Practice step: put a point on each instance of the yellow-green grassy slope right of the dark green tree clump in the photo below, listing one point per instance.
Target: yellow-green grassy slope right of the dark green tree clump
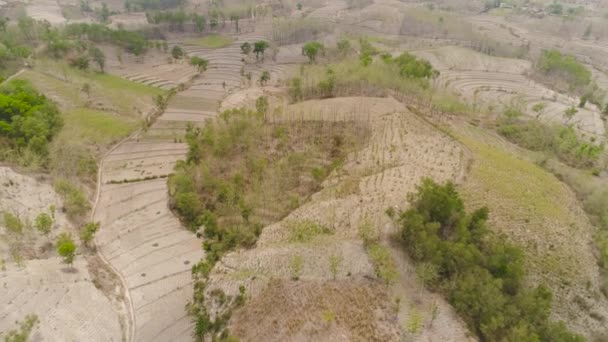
(527, 203)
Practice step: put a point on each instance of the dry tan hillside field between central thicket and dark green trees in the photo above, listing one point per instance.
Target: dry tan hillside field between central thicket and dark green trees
(402, 150)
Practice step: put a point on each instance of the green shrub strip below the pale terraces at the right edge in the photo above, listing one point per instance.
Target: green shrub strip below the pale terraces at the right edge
(559, 140)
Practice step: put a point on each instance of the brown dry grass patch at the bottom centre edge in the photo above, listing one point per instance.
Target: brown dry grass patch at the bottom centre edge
(355, 310)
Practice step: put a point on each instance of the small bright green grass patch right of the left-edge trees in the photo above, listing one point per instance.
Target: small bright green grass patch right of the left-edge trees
(96, 126)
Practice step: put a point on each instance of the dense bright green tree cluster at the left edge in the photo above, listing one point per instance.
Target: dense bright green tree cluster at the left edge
(28, 122)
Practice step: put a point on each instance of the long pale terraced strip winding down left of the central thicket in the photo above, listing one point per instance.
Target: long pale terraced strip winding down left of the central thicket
(140, 238)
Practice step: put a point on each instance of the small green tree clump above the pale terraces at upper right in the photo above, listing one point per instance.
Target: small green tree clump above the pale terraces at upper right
(566, 68)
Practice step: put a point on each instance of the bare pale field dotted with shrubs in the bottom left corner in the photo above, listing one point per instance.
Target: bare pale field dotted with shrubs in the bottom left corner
(33, 279)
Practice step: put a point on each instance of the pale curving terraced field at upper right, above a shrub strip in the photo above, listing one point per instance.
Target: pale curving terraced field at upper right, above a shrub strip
(494, 83)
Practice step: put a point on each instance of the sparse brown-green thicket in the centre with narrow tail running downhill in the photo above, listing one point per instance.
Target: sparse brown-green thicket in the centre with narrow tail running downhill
(244, 172)
